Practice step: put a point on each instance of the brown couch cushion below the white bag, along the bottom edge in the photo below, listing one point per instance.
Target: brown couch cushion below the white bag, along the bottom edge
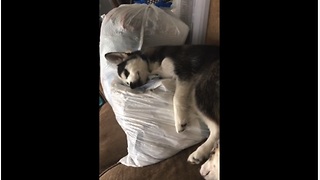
(173, 168)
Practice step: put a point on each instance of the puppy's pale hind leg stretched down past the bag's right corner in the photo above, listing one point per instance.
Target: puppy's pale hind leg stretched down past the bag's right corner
(203, 151)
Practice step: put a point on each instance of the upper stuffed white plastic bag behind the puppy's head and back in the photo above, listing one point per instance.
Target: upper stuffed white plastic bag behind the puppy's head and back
(131, 27)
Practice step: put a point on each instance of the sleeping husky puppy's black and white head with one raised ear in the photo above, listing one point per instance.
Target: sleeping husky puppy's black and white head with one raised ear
(132, 67)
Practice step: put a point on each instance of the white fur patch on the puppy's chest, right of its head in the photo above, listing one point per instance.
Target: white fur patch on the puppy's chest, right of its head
(165, 70)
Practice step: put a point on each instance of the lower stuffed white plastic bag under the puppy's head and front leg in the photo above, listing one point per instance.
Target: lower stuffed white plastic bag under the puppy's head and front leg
(146, 116)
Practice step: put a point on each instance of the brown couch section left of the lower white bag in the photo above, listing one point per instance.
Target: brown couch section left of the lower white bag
(113, 144)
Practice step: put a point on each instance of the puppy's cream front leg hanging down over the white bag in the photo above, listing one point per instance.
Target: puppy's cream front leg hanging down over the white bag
(181, 101)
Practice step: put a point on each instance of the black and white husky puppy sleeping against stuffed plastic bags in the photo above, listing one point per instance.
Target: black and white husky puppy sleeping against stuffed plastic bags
(196, 70)
